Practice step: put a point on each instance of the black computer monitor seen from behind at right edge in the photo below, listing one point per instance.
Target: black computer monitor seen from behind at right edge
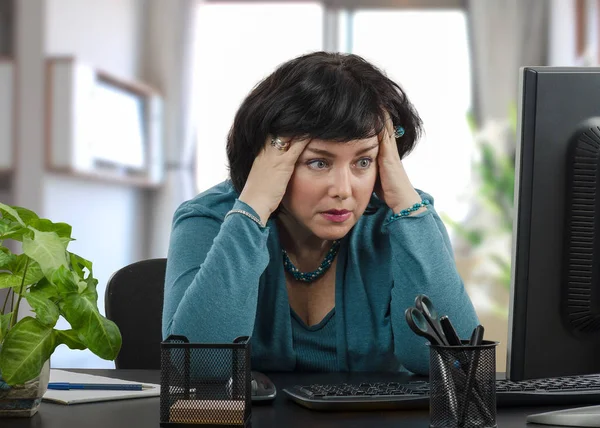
(554, 314)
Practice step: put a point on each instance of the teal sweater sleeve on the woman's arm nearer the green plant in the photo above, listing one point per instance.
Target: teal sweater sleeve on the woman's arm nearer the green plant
(213, 272)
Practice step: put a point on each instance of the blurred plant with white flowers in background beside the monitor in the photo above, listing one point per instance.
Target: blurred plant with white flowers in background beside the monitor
(485, 234)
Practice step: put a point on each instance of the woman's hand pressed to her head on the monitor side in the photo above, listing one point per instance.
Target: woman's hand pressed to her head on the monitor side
(393, 187)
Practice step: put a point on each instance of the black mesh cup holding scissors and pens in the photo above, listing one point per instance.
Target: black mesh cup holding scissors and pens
(462, 381)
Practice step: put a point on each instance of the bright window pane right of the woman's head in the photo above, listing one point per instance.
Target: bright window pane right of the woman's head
(433, 67)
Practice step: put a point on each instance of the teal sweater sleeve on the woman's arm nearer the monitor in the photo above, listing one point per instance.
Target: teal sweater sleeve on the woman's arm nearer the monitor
(423, 263)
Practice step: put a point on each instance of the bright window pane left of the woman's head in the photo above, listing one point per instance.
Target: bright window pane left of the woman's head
(237, 46)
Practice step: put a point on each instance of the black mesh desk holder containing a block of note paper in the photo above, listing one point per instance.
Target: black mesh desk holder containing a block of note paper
(205, 384)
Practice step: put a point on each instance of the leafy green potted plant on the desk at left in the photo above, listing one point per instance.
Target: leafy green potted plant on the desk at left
(54, 282)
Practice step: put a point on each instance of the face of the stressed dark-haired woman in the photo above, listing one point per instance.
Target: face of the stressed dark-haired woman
(331, 186)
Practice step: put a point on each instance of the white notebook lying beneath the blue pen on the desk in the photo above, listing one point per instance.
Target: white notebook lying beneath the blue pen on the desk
(75, 396)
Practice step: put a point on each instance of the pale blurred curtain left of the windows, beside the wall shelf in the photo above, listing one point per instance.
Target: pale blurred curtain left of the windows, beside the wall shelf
(169, 66)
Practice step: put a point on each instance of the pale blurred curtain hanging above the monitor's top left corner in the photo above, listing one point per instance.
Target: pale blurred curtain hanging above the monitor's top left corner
(504, 35)
